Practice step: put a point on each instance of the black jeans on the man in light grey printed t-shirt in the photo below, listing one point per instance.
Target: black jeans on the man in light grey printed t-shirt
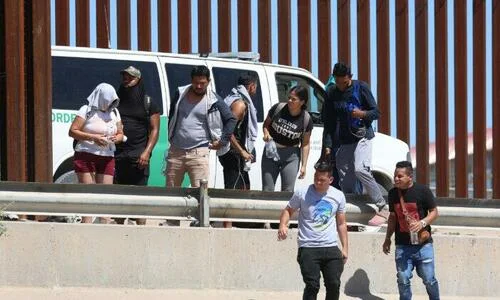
(326, 260)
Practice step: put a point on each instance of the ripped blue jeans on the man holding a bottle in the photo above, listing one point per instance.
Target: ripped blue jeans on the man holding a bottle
(420, 257)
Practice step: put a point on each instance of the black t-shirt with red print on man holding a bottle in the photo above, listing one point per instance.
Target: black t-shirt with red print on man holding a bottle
(418, 200)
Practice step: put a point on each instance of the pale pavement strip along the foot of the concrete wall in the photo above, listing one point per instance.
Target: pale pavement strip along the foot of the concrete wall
(21, 293)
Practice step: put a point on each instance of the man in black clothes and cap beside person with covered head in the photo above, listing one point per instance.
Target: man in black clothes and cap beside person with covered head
(141, 122)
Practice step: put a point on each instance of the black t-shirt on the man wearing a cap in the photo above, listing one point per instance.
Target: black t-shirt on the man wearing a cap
(135, 120)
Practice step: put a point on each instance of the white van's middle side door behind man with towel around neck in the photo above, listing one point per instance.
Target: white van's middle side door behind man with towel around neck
(225, 77)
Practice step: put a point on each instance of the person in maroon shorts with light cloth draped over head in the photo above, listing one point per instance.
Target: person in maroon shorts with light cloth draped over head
(96, 128)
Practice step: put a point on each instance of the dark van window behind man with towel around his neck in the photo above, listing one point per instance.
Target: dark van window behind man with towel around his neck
(226, 79)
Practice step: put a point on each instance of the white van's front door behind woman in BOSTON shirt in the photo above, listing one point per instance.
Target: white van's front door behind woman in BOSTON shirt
(281, 80)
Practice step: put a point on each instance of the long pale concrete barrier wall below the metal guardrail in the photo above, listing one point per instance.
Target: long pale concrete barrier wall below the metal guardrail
(72, 255)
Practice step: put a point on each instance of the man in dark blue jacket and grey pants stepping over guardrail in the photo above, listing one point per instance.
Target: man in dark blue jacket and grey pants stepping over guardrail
(352, 103)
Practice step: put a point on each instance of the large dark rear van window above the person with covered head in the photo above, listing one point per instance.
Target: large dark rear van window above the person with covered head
(74, 78)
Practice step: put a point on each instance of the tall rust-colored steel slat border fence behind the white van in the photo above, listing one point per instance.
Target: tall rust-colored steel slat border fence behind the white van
(274, 30)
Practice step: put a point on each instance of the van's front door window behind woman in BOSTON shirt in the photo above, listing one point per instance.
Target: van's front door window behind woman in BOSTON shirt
(317, 95)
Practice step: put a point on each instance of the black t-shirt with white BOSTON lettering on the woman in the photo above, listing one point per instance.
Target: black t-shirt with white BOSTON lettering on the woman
(285, 129)
